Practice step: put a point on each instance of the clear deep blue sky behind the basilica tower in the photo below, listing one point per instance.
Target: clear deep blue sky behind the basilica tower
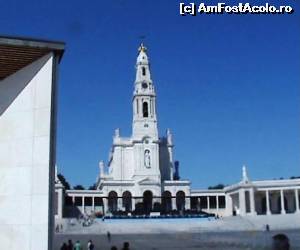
(227, 85)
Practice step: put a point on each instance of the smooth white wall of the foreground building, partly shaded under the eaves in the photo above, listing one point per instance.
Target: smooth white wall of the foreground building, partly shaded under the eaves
(25, 111)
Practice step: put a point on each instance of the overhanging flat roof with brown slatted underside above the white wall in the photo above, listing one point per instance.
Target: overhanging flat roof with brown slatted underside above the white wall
(17, 52)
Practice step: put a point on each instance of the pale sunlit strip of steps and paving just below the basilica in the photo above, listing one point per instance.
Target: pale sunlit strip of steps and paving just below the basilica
(183, 225)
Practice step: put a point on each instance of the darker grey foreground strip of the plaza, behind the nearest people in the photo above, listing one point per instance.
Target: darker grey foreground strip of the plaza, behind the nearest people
(206, 240)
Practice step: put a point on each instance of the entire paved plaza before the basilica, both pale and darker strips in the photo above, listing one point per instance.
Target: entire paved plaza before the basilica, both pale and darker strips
(227, 233)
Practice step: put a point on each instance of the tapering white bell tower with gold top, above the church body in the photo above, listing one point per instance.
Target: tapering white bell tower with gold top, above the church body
(144, 103)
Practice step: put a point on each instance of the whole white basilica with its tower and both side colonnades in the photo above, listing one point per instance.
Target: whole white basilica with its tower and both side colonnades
(140, 177)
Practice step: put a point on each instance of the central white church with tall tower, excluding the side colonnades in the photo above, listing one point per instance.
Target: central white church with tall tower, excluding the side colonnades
(142, 165)
